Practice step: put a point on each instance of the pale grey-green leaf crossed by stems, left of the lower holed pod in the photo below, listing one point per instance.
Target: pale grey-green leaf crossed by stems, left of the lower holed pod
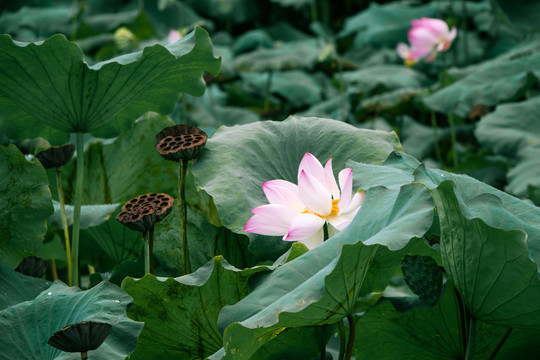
(91, 215)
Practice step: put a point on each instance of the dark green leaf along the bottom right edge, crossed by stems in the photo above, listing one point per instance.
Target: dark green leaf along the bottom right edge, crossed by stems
(433, 333)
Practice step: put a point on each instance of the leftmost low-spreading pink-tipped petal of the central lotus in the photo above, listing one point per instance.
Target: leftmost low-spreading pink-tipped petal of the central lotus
(270, 219)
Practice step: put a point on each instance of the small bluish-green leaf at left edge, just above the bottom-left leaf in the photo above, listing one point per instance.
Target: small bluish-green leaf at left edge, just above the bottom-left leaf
(16, 287)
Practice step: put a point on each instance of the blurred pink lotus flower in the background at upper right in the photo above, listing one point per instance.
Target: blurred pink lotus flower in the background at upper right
(427, 37)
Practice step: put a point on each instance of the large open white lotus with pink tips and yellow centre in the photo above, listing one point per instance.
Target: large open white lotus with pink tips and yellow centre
(299, 212)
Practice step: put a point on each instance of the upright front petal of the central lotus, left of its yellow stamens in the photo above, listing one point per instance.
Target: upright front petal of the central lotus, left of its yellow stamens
(313, 194)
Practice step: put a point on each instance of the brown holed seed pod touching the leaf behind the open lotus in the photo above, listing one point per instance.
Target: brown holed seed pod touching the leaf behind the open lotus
(180, 142)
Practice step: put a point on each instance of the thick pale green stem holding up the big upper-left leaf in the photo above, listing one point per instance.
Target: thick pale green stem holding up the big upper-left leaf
(77, 208)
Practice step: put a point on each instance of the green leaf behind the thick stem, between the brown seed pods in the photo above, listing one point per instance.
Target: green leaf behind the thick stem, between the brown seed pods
(111, 168)
